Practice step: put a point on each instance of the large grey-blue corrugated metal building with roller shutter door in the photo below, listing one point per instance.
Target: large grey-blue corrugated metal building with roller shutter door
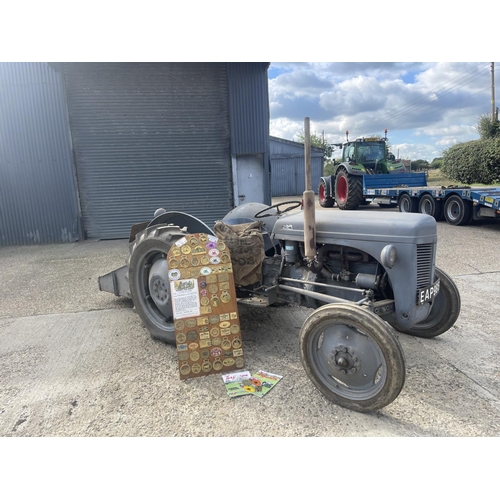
(192, 137)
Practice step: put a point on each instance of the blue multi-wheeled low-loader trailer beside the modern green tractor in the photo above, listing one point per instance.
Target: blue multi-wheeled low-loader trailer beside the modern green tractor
(458, 205)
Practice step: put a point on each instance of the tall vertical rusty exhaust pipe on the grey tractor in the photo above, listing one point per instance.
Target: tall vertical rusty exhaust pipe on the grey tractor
(309, 200)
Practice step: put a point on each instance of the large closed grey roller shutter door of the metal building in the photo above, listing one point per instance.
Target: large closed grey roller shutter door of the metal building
(149, 135)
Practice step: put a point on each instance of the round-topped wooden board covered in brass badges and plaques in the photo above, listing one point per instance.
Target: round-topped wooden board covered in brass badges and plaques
(206, 320)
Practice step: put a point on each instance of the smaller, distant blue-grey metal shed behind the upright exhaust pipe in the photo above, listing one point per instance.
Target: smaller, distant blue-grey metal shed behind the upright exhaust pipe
(288, 167)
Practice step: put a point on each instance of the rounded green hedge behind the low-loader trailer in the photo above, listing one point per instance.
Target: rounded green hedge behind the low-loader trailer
(474, 162)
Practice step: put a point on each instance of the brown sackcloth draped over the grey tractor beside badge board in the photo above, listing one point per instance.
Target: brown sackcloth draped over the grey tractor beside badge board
(246, 245)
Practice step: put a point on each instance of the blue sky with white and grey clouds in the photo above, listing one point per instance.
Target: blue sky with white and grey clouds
(426, 107)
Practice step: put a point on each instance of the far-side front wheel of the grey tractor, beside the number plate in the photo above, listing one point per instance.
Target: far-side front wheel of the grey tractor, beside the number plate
(444, 312)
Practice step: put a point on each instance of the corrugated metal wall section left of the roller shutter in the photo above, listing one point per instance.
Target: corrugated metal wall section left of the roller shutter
(38, 201)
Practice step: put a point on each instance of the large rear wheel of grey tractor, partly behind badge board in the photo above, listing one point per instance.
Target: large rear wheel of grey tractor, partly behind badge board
(148, 279)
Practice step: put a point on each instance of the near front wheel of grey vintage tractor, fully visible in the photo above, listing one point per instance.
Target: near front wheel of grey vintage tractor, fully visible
(352, 357)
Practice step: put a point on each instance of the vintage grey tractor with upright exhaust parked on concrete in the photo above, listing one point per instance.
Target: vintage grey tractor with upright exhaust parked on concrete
(363, 276)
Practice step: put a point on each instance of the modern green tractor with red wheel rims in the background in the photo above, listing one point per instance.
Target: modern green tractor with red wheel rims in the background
(364, 156)
